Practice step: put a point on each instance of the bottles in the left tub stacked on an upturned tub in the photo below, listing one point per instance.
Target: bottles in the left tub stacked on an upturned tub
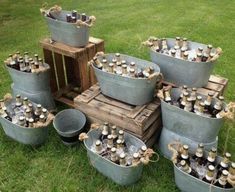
(25, 63)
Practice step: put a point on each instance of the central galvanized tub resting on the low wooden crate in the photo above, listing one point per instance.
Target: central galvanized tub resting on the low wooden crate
(134, 91)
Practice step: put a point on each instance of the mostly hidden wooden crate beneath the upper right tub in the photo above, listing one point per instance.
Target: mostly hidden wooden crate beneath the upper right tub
(216, 85)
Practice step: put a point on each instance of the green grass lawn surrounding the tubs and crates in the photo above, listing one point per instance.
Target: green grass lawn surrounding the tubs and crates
(124, 25)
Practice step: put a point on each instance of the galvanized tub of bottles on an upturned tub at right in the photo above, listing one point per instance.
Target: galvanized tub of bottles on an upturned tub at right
(198, 128)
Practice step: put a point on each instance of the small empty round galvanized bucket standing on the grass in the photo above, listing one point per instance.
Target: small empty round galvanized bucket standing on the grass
(69, 124)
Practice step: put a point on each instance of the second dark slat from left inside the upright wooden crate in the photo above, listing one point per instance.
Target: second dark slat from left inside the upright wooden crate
(60, 69)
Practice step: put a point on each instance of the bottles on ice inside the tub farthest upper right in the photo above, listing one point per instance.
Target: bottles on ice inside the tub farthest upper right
(181, 50)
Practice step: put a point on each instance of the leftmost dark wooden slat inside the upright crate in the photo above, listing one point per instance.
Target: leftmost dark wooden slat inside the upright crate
(48, 58)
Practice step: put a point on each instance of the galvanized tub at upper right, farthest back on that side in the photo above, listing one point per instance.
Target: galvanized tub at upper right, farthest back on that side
(182, 72)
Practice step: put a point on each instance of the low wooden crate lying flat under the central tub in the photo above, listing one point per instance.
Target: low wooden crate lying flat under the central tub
(142, 121)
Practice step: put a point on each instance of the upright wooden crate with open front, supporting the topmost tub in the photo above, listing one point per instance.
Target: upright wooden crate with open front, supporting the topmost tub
(69, 65)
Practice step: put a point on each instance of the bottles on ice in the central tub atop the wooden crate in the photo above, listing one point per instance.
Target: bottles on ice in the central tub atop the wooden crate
(121, 67)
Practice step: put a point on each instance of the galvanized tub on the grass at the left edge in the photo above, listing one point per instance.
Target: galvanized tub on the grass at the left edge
(25, 135)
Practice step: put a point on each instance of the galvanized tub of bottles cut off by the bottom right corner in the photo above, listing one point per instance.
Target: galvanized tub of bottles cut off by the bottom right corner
(188, 183)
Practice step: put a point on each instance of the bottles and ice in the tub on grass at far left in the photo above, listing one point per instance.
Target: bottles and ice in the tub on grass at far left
(22, 112)
